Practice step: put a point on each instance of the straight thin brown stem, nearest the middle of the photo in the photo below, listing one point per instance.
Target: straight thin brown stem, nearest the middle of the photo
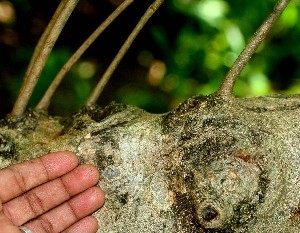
(108, 73)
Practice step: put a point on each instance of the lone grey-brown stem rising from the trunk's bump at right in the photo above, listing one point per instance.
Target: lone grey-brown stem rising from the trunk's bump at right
(226, 88)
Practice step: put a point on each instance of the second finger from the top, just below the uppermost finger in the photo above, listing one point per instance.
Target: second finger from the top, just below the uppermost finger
(49, 195)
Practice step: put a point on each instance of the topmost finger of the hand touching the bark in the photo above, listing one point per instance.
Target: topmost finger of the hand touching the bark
(19, 178)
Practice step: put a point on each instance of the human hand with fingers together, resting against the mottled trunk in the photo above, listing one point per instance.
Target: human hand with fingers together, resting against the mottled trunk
(49, 194)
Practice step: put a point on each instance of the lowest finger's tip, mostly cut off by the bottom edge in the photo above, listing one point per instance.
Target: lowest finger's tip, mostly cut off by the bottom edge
(88, 224)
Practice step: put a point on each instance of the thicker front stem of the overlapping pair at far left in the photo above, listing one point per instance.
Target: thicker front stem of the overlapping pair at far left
(39, 60)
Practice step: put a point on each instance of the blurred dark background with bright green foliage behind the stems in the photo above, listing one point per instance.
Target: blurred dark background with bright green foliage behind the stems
(186, 49)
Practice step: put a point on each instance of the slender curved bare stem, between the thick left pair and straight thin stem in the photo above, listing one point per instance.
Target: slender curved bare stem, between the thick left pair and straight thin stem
(45, 101)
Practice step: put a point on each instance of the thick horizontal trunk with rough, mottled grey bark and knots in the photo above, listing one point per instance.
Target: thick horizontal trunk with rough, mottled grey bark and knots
(211, 165)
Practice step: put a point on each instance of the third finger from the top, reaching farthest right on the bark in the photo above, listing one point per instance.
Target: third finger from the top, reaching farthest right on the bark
(68, 213)
